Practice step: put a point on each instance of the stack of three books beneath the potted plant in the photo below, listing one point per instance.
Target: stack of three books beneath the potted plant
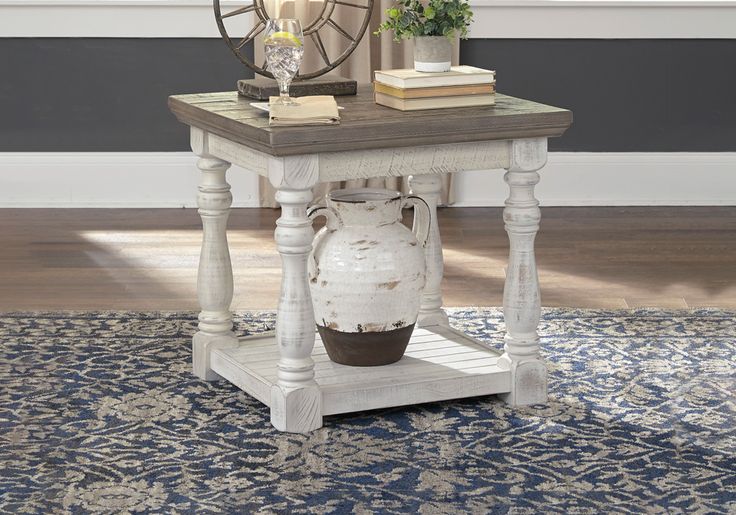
(409, 90)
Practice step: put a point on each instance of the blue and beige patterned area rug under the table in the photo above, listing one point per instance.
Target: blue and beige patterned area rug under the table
(99, 413)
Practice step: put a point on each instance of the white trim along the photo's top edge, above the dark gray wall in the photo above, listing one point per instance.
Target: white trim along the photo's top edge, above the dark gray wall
(566, 19)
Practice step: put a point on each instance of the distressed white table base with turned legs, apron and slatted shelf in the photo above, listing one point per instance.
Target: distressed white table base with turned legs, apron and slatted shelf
(281, 370)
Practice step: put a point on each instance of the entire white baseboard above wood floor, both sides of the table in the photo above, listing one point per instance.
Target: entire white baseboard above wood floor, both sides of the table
(169, 179)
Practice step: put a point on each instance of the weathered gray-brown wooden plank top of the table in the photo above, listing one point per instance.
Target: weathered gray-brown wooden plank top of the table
(366, 125)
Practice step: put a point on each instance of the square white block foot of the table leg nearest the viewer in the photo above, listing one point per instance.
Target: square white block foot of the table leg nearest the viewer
(296, 410)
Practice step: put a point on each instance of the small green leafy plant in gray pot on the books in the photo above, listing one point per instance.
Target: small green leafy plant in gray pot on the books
(433, 24)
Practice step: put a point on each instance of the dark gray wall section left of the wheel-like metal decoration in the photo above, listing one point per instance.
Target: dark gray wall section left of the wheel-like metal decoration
(105, 94)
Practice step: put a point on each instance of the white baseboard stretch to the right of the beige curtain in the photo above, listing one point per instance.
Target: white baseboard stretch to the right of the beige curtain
(617, 179)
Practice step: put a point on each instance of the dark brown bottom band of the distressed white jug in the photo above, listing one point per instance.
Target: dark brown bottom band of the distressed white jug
(366, 349)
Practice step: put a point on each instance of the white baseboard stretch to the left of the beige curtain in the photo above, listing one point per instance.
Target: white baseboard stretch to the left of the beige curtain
(110, 179)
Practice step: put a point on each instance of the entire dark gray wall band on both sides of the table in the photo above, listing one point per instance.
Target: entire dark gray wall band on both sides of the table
(627, 95)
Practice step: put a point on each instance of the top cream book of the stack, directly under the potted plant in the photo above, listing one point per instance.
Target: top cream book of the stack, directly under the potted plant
(457, 76)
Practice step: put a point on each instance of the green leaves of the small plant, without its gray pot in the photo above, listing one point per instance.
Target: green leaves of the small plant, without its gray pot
(413, 18)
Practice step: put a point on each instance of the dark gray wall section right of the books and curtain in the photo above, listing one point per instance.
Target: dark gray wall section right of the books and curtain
(626, 95)
